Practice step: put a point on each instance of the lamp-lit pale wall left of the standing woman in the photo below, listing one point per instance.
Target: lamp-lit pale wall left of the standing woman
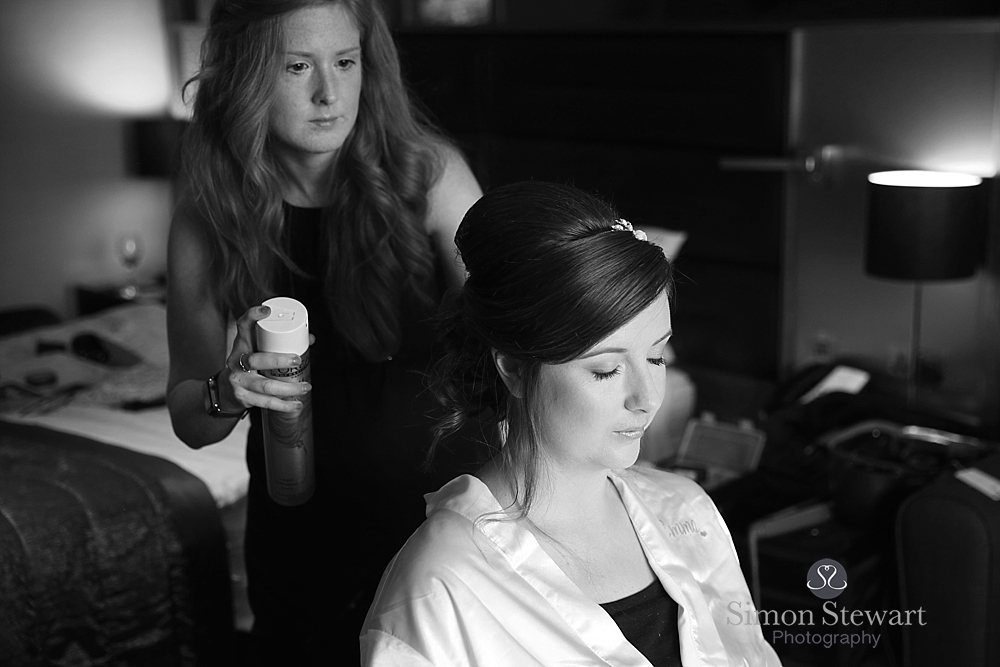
(72, 74)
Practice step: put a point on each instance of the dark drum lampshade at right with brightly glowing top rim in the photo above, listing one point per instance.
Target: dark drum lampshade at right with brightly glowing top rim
(924, 230)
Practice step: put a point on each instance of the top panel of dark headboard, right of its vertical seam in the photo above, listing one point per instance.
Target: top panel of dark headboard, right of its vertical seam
(684, 90)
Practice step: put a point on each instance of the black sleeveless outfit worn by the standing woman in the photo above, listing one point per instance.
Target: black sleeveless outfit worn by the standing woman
(313, 568)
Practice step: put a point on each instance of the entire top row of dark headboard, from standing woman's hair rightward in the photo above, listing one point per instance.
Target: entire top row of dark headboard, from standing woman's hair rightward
(679, 89)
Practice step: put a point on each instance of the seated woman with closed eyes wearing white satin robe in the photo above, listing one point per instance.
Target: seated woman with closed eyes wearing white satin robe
(560, 551)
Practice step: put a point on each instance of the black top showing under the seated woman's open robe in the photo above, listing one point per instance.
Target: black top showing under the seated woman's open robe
(648, 619)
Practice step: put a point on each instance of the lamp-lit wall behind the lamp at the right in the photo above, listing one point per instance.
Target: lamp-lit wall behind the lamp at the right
(906, 96)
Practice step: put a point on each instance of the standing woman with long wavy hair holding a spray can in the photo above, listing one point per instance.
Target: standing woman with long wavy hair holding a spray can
(308, 173)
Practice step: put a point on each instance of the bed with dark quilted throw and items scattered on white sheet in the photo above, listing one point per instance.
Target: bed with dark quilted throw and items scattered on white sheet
(118, 544)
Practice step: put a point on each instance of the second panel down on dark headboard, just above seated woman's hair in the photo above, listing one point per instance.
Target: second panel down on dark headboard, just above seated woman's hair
(729, 217)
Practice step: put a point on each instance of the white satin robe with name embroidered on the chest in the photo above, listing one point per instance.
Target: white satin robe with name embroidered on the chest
(473, 592)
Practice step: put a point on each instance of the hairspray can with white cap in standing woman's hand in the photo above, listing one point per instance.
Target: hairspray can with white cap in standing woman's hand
(288, 437)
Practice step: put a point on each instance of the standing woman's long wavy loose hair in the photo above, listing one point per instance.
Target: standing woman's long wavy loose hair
(379, 255)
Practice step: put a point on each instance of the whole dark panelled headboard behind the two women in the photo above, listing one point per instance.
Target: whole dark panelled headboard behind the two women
(642, 120)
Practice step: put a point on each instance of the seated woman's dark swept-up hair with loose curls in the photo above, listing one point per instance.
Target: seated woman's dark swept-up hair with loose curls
(549, 277)
